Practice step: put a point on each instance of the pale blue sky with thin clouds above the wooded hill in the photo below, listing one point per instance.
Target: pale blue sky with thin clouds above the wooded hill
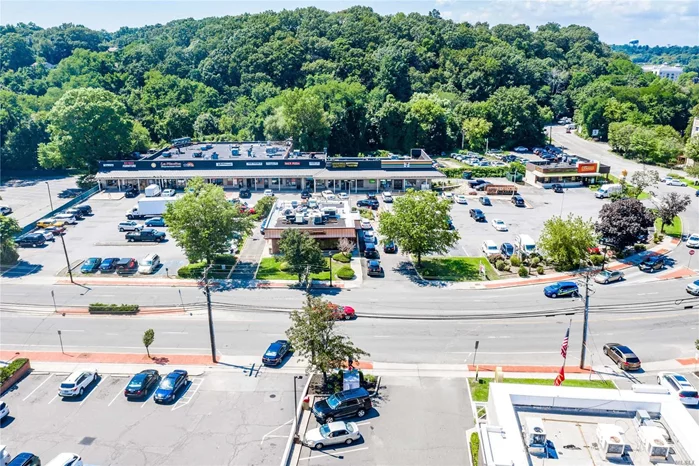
(652, 22)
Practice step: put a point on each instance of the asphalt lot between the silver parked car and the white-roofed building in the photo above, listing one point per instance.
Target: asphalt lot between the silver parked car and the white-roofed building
(415, 421)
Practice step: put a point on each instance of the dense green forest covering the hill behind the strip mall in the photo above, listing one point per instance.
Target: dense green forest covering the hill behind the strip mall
(352, 82)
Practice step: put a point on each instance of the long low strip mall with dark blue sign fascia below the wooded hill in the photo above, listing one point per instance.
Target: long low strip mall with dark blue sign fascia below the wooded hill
(261, 165)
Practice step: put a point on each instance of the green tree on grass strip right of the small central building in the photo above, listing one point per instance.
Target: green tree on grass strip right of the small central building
(419, 224)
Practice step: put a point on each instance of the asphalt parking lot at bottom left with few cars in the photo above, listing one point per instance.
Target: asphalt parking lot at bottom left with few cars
(220, 418)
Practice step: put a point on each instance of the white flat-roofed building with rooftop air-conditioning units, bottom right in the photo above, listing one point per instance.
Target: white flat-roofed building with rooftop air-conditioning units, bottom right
(538, 425)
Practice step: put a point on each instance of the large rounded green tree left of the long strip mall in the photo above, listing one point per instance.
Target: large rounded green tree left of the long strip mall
(89, 125)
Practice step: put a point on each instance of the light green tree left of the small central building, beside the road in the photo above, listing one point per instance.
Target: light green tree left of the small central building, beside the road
(203, 222)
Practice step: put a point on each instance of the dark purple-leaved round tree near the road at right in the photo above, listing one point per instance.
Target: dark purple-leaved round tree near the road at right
(622, 222)
